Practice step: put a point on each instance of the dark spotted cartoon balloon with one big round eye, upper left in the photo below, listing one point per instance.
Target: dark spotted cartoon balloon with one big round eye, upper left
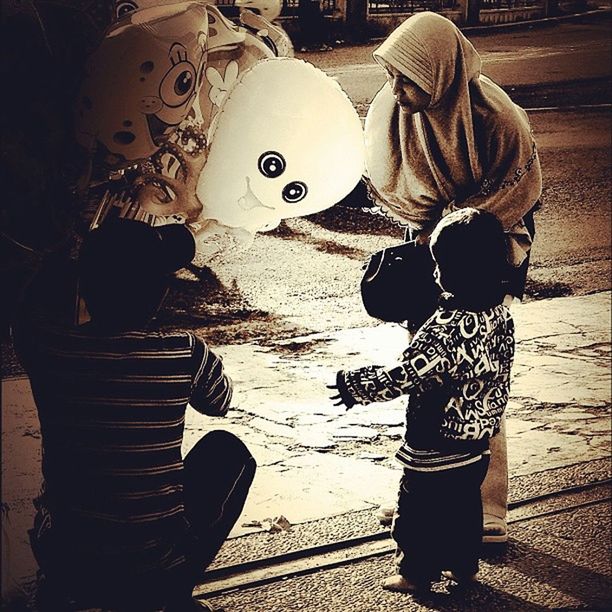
(142, 81)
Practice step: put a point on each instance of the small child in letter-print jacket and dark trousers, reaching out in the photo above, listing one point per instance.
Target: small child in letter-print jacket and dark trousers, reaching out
(464, 353)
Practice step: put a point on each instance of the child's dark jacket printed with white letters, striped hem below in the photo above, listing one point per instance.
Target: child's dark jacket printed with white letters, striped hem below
(459, 363)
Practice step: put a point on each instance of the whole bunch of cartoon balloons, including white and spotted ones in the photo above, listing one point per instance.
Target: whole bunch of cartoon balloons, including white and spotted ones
(246, 147)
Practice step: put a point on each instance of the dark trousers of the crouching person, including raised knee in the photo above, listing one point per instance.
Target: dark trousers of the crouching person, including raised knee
(218, 472)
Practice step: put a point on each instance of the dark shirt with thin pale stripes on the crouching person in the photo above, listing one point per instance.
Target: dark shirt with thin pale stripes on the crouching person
(112, 414)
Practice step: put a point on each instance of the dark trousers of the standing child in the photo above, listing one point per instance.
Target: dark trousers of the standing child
(438, 522)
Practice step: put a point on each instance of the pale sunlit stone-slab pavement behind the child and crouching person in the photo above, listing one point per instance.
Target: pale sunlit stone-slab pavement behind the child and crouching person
(317, 461)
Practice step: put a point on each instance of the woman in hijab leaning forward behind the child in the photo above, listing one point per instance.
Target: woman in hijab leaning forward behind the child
(441, 136)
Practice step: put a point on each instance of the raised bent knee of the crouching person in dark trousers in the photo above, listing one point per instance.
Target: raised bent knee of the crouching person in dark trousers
(218, 472)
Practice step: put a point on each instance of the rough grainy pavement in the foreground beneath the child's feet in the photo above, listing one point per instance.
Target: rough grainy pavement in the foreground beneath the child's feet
(555, 562)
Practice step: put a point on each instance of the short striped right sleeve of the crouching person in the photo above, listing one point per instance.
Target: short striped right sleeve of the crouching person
(211, 389)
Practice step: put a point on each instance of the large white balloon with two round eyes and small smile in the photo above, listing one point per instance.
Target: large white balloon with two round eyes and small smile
(287, 142)
